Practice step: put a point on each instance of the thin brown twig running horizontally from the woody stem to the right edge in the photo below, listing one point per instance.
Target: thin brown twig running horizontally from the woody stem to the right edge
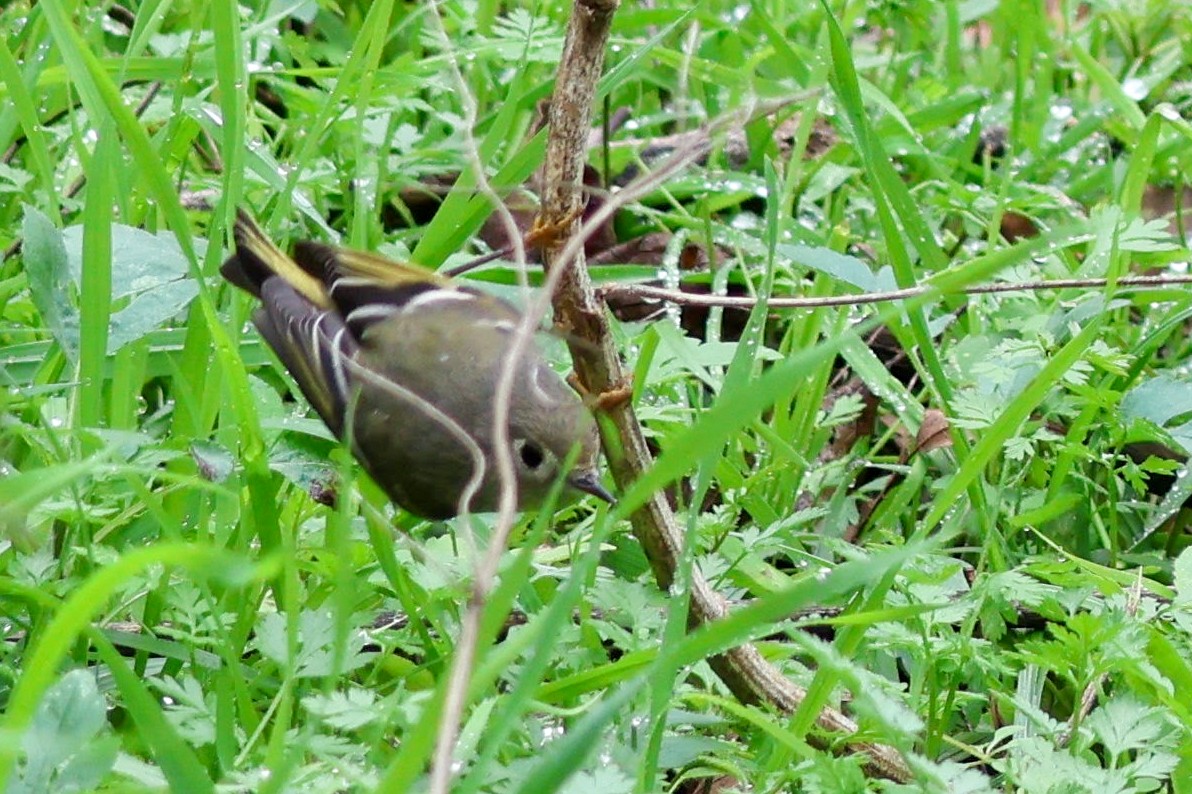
(744, 302)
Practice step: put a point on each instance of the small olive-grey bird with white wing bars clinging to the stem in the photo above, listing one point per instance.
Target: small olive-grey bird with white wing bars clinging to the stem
(403, 365)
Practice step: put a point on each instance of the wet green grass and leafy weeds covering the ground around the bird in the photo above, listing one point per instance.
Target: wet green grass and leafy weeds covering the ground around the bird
(1003, 599)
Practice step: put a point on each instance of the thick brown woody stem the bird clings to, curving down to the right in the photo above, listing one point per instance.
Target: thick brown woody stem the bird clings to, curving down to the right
(582, 320)
